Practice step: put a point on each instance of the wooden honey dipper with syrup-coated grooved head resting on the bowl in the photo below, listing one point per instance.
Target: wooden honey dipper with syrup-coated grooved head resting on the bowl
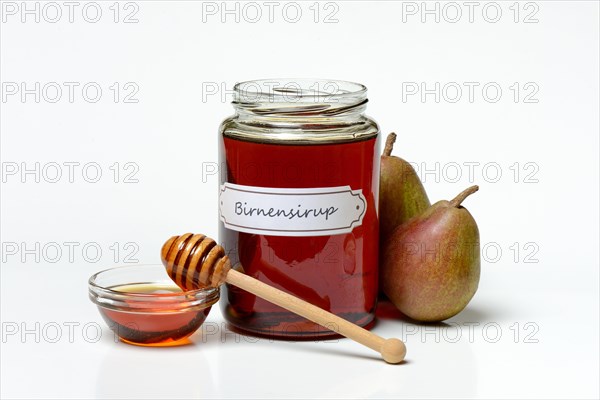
(195, 261)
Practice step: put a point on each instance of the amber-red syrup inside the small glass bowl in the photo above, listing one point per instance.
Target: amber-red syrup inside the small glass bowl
(150, 328)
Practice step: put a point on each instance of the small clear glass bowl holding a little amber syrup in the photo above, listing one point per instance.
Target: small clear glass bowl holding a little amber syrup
(143, 306)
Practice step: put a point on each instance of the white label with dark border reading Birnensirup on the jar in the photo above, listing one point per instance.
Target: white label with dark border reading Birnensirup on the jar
(291, 212)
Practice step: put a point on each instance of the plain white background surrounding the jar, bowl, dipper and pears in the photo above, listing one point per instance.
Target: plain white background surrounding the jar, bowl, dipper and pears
(539, 281)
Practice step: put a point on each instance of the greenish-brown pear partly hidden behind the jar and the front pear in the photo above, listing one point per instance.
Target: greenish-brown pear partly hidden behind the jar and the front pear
(401, 193)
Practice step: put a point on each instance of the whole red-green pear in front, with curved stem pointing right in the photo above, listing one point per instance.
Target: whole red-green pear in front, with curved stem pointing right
(430, 265)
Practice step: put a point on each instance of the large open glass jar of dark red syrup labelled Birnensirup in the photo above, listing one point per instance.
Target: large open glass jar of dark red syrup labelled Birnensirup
(298, 205)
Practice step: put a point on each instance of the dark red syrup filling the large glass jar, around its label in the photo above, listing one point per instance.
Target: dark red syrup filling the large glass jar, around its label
(336, 272)
